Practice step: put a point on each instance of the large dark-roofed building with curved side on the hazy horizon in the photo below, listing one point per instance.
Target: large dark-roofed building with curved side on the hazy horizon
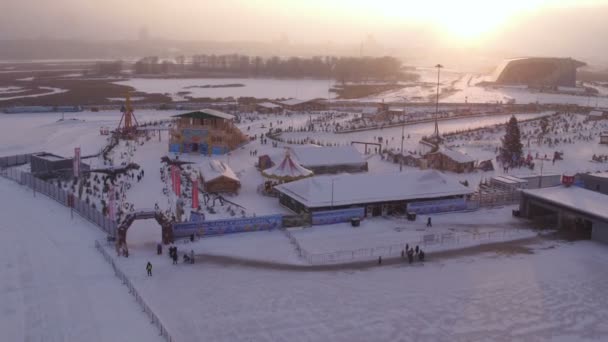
(538, 72)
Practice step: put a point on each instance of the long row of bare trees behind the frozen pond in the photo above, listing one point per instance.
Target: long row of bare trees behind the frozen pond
(342, 69)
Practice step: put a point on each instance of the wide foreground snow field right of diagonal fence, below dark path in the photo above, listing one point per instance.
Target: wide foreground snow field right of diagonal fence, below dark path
(550, 290)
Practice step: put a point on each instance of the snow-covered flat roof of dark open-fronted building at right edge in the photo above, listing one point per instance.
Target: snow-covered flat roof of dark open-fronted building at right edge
(576, 198)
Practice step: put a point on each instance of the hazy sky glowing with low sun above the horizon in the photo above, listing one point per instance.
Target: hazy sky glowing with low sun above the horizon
(525, 27)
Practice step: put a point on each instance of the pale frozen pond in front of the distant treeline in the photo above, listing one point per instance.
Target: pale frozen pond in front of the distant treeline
(255, 87)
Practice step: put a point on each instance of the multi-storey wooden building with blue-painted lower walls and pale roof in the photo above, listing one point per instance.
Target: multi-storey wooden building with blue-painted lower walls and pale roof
(208, 132)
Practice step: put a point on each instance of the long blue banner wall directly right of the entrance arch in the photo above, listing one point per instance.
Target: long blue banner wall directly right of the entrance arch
(228, 226)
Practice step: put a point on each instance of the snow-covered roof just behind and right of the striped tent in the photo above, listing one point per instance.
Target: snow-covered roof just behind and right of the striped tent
(311, 156)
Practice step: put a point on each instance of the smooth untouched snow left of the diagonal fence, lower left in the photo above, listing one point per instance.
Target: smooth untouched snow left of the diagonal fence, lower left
(54, 285)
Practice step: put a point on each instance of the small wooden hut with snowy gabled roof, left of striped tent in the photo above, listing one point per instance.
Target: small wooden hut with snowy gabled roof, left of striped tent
(217, 176)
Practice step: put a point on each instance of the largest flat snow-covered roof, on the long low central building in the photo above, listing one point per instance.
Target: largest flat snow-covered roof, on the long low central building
(363, 188)
